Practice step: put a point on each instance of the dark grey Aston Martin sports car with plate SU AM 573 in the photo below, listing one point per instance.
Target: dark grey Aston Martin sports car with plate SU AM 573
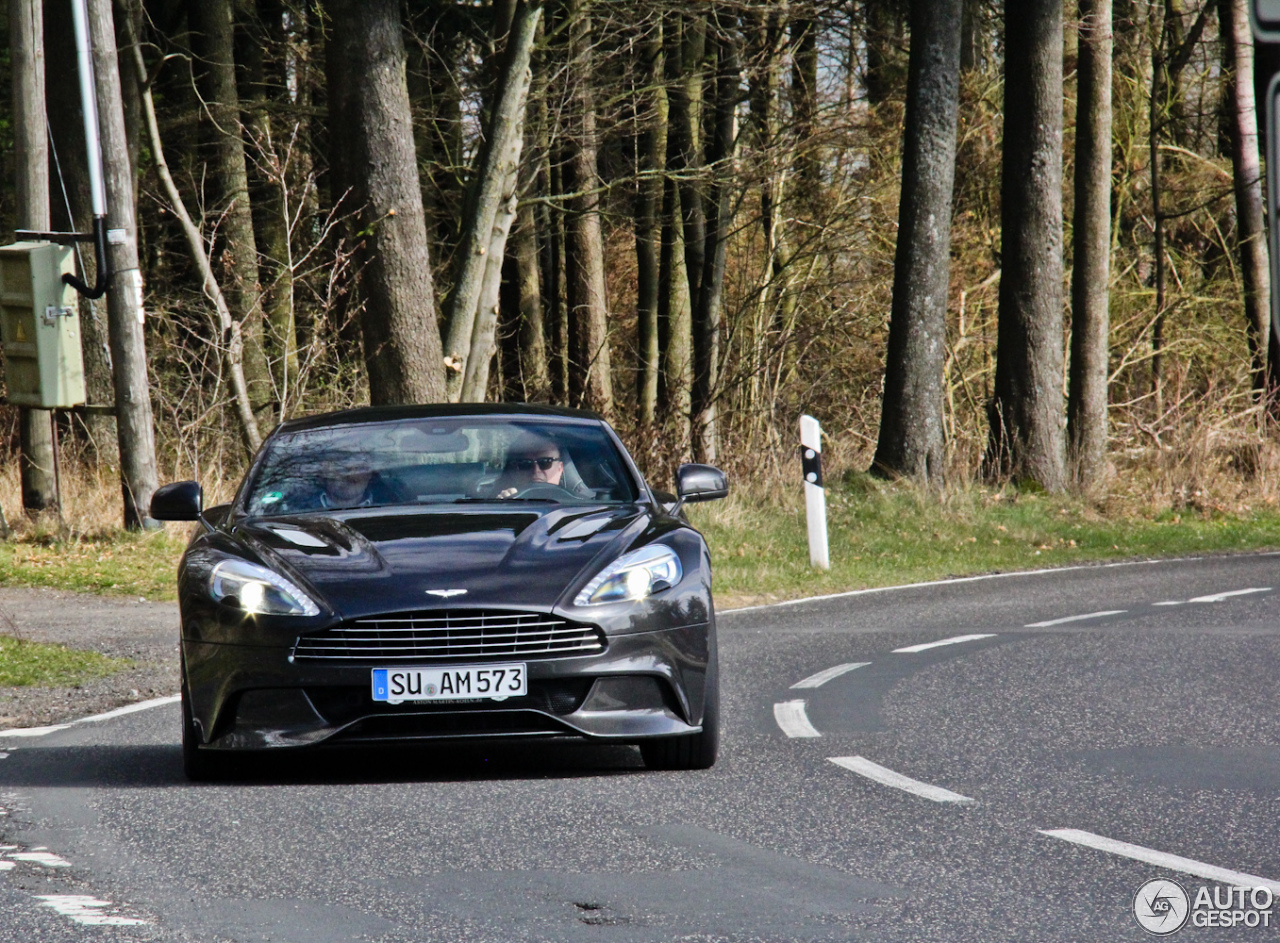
(419, 574)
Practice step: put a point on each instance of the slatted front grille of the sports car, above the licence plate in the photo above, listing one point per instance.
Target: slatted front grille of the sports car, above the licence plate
(456, 635)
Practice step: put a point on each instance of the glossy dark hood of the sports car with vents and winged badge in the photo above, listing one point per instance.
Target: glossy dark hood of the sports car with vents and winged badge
(372, 561)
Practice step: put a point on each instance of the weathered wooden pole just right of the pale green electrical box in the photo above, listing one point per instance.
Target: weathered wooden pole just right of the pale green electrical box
(134, 419)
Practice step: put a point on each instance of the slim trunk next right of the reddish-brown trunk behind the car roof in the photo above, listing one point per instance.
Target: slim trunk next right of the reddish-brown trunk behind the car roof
(652, 153)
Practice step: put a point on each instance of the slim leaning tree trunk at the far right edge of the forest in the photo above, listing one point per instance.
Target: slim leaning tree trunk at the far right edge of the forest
(1247, 170)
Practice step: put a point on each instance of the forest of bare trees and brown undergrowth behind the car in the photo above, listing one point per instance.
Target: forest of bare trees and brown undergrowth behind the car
(692, 219)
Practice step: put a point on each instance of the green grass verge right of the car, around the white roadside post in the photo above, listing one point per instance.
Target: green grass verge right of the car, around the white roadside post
(885, 535)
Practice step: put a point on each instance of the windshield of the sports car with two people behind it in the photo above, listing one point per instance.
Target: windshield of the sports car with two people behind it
(438, 461)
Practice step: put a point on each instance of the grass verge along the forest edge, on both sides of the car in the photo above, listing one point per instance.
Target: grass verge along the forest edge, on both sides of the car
(880, 534)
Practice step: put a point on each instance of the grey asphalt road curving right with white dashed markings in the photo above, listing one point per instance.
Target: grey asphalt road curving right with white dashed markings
(1110, 726)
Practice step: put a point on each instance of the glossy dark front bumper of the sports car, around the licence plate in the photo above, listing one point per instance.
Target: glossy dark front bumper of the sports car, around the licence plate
(643, 685)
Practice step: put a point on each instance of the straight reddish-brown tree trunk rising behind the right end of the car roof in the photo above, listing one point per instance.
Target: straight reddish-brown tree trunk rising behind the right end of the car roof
(591, 382)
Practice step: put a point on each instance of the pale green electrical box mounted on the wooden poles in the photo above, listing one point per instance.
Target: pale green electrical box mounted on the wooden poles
(40, 327)
